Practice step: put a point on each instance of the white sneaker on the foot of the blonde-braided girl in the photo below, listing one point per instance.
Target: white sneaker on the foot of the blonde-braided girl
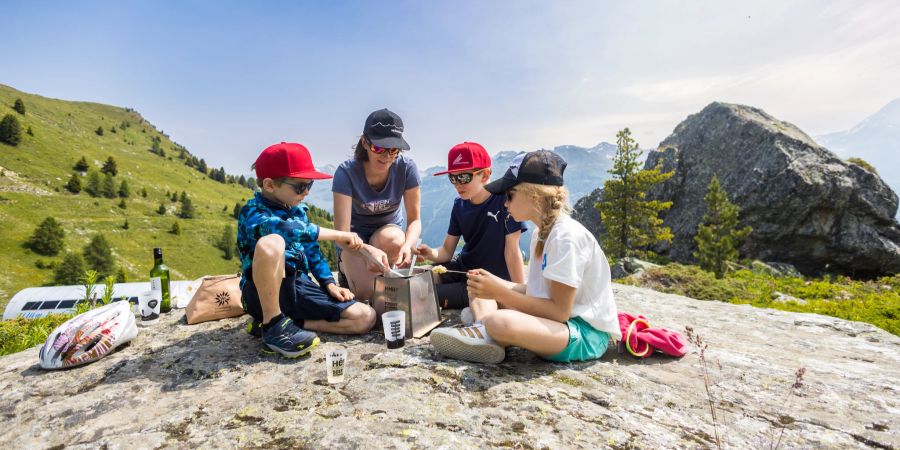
(468, 344)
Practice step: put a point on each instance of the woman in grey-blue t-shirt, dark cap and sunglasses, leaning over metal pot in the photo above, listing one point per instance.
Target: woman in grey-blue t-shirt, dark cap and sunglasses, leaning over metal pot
(368, 191)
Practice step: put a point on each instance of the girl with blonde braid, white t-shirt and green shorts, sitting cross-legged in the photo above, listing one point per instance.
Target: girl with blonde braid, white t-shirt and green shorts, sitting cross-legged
(565, 311)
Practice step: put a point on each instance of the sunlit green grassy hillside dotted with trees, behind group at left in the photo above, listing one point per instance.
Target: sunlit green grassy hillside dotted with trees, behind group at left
(35, 172)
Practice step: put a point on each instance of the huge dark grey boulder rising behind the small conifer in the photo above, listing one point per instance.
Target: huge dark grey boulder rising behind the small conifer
(807, 207)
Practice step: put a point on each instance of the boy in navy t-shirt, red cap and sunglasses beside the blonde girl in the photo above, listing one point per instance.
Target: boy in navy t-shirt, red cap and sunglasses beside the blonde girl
(481, 219)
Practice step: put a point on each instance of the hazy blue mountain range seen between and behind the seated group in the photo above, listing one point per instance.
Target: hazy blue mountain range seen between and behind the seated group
(586, 171)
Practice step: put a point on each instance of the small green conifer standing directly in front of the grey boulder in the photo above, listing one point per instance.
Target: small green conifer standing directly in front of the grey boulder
(718, 238)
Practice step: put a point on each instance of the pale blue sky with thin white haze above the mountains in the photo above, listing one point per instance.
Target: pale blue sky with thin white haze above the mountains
(226, 79)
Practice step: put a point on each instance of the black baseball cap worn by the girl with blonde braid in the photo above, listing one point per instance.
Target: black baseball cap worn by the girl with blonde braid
(538, 167)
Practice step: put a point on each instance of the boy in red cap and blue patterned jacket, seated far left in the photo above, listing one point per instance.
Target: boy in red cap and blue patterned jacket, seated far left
(279, 247)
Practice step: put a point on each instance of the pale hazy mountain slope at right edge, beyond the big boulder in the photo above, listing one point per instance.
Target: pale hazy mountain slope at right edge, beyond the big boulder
(876, 140)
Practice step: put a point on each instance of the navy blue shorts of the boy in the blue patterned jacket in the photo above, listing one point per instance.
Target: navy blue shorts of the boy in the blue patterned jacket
(300, 299)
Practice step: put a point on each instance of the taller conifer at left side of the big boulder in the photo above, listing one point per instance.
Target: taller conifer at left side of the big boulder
(631, 221)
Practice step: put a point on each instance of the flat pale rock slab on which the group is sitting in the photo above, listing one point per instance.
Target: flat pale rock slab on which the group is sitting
(209, 385)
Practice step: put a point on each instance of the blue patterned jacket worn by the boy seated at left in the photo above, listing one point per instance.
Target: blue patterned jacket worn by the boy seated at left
(261, 217)
